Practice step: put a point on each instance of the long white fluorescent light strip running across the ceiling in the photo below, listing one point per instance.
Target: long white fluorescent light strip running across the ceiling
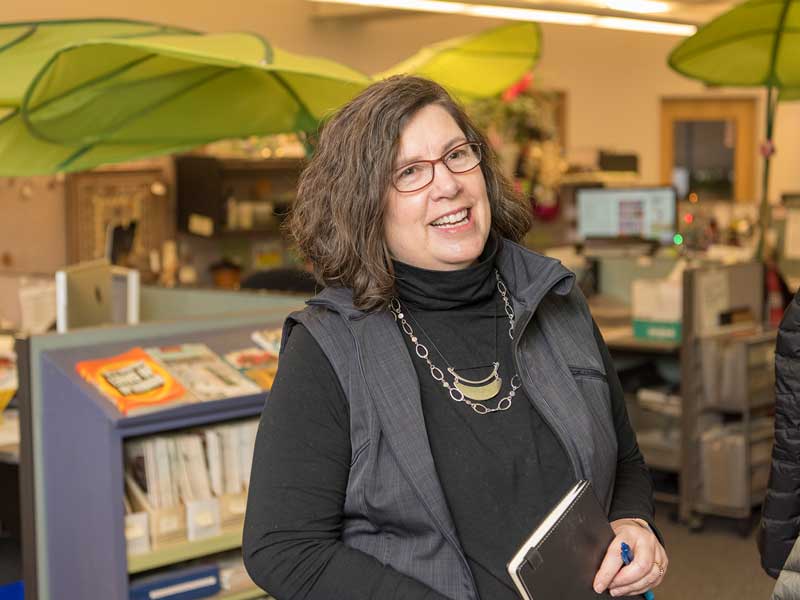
(529, 14)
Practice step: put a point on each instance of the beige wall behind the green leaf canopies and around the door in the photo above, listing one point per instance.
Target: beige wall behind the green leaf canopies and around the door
(614, 80)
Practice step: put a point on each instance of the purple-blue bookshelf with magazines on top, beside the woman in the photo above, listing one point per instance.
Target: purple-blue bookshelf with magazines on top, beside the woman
(77, 440)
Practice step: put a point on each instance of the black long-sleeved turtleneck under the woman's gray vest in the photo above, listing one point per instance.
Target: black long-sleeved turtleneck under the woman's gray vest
(500, 472)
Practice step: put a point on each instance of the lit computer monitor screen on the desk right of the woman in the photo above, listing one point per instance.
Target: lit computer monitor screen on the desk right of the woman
(648, 213)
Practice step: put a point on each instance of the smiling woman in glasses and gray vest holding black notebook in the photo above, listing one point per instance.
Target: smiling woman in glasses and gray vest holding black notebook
(444, 391)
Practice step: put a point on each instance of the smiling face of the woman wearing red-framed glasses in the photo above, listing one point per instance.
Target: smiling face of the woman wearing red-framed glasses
(443, 226)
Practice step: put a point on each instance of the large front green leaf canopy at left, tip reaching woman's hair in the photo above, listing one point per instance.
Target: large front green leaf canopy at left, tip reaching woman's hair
(109, 100)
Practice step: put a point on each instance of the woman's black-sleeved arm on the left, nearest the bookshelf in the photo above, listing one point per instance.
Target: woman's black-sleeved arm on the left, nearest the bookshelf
(292, 544)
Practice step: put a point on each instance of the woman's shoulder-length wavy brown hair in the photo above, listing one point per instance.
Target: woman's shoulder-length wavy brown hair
(338, 217)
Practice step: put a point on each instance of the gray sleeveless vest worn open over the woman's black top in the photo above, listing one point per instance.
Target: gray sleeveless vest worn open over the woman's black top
(395, 509)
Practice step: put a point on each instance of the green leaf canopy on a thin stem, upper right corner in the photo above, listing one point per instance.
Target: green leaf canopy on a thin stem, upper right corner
(754, 44)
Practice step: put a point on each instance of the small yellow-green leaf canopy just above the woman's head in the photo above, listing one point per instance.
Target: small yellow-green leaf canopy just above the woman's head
(479, 65)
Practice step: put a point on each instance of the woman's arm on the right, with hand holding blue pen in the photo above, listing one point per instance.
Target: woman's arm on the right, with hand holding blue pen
(632, 509)
